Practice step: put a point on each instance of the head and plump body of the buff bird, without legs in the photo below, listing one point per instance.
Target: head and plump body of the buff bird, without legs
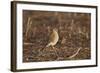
(53, 38)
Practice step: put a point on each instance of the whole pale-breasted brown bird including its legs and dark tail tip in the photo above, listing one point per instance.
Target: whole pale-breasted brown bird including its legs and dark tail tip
(52, 41)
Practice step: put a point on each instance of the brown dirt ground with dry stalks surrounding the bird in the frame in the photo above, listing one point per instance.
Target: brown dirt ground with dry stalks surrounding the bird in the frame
(73, 29)
